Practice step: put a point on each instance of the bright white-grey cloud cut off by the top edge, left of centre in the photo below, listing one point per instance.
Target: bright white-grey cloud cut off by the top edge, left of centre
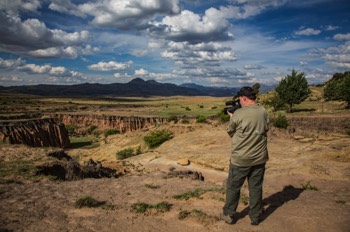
(122, 14)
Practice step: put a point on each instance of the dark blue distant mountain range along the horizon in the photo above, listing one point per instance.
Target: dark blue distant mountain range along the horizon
(136, 87)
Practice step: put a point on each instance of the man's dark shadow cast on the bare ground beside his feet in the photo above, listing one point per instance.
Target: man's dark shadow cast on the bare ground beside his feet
(275, 201)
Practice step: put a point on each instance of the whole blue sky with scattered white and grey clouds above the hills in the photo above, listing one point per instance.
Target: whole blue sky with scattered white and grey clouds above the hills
(229, 43)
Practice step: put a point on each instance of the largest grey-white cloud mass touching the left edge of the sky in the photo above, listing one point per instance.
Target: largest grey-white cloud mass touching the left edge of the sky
(39, 39)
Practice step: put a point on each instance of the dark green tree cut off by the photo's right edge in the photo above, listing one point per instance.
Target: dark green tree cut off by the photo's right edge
(338, 88)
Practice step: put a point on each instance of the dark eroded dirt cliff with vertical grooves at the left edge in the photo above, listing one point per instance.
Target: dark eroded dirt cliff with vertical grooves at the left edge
(35, 133)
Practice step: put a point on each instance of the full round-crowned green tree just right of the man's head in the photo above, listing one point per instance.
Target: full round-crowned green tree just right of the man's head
(293, 89)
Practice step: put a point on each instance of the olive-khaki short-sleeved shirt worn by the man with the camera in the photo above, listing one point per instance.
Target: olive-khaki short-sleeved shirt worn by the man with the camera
(248, 128)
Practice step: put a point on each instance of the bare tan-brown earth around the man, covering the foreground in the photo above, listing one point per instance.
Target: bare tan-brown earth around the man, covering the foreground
(323, 161)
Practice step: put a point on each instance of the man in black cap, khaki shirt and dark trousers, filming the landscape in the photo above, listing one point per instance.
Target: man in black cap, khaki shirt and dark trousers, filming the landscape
(248, 128)
